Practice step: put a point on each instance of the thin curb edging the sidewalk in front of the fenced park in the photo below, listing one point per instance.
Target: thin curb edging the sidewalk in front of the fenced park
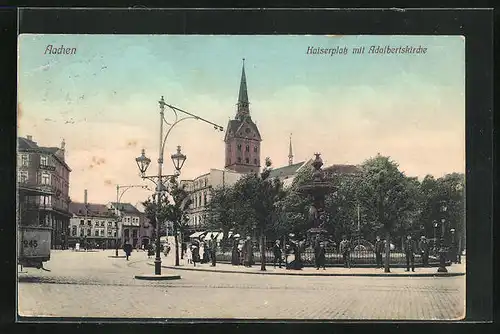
(435, 274)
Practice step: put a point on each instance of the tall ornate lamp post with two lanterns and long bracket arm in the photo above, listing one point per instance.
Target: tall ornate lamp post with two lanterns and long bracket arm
(178, 160)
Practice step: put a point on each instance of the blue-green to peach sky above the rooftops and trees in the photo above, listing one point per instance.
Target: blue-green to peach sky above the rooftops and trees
(103, 101)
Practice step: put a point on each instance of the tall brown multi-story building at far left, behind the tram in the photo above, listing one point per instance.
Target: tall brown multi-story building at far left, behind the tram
(43, 182)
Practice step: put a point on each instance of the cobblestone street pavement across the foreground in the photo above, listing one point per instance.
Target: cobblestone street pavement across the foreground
(93, 284)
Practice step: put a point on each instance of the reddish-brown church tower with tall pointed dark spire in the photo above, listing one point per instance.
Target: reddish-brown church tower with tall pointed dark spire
(242, 138)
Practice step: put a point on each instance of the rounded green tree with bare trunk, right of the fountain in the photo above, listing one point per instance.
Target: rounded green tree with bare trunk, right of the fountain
(383, 191)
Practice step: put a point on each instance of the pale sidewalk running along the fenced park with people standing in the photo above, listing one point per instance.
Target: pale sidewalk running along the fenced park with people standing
(453, 270)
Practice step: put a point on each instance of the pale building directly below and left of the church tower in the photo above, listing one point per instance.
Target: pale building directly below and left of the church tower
(199, 190)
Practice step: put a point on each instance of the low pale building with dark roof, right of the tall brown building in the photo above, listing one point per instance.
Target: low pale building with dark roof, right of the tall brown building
(94, 223)
